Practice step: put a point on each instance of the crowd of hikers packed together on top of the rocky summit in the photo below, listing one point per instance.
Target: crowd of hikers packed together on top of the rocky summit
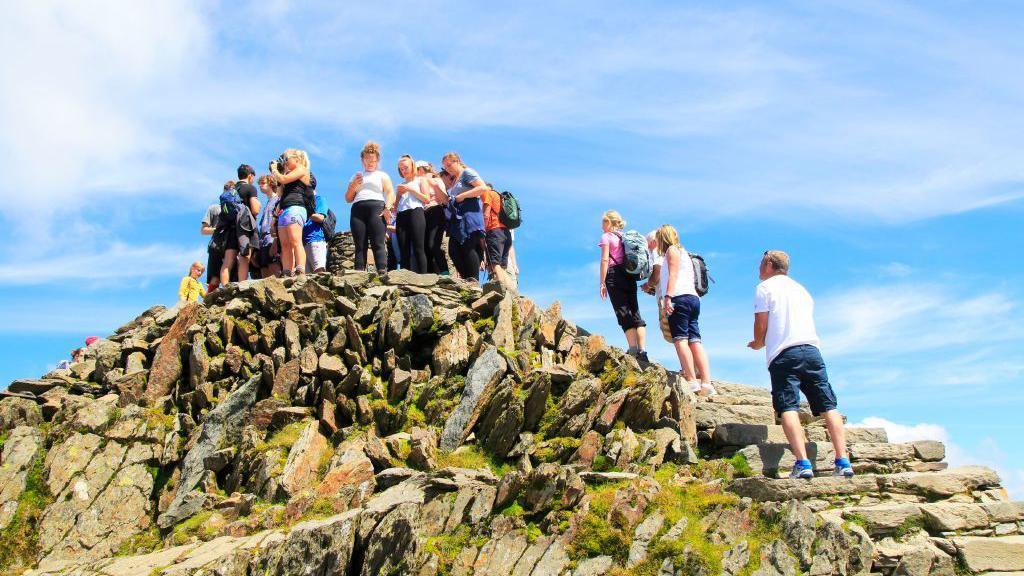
(400, 224)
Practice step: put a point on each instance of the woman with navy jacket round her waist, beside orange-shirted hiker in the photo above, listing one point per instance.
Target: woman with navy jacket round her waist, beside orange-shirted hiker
(465, 218)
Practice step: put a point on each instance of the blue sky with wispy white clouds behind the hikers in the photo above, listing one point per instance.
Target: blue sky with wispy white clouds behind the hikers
(879, 144)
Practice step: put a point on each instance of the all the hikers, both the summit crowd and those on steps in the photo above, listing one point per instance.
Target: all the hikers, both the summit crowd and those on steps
(405, 225)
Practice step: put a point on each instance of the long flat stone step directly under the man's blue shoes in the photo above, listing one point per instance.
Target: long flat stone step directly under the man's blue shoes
(908, 486)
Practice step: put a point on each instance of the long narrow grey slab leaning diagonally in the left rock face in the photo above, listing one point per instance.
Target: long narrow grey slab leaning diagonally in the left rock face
(222, 426)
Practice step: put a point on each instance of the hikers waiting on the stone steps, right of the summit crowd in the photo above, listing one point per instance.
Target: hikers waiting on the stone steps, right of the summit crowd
(784, 326)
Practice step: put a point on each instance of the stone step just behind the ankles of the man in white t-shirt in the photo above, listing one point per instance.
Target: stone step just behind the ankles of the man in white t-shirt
(775, 459)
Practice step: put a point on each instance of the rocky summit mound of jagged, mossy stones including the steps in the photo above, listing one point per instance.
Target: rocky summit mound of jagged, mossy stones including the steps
(348, 425)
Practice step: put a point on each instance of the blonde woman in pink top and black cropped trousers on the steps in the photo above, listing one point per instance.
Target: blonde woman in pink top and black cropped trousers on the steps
(620, 285)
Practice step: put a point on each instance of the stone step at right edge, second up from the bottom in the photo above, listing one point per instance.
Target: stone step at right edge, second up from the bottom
(943, 519)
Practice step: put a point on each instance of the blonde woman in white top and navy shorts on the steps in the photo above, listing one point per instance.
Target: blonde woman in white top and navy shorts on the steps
(682, 308)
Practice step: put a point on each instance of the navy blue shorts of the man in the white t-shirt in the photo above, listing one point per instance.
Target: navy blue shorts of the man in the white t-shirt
(800, 369)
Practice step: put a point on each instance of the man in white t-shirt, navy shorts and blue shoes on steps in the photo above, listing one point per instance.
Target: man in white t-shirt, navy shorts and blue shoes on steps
(784, 325)
